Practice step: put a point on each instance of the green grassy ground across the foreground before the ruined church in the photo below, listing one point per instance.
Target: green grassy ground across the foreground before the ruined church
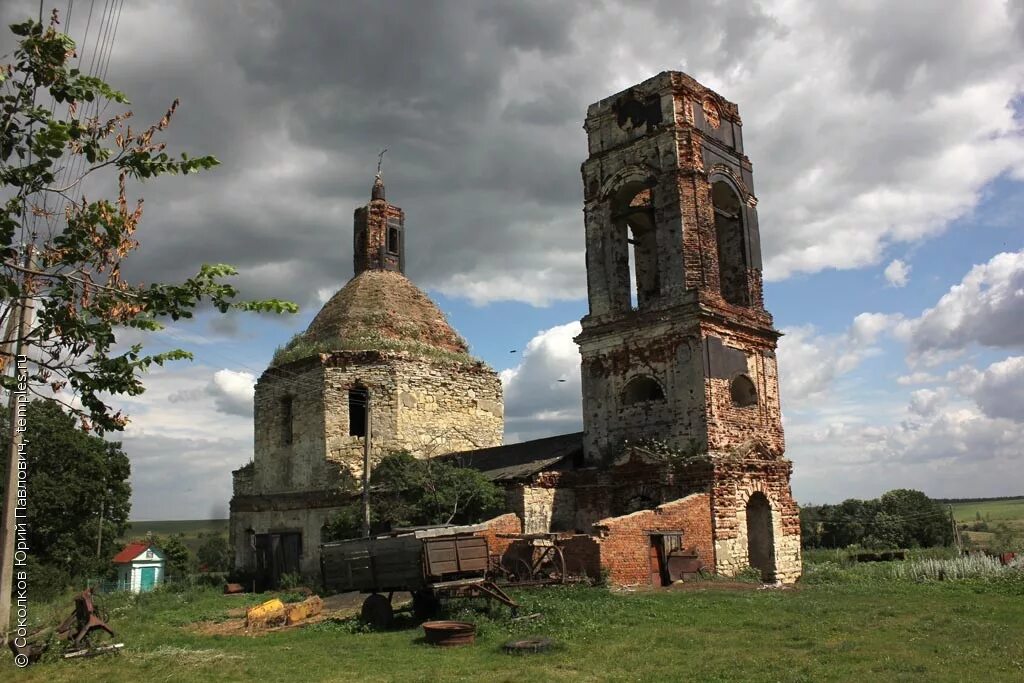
(827, 630)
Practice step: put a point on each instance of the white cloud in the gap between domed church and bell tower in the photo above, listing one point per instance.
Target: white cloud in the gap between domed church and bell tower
(543, 395)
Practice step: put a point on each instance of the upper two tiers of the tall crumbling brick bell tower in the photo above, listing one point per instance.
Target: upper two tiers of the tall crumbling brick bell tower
(677, 347)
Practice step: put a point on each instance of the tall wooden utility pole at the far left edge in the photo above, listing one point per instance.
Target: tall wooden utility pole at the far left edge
(19, 401)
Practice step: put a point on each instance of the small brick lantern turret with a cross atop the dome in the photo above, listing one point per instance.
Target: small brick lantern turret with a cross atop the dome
(379, 235)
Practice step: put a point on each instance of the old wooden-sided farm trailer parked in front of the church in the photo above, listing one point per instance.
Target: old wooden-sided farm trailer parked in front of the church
(433, 564)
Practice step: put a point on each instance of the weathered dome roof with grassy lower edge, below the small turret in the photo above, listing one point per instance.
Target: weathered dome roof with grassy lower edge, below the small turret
(378, 311)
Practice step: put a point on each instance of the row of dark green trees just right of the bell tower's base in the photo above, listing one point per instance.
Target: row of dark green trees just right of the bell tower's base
(901, 519)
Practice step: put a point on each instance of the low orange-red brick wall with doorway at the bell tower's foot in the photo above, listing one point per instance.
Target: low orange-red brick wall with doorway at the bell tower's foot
(625, 543)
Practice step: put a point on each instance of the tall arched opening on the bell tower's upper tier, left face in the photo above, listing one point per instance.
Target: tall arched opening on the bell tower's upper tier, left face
(633, 216)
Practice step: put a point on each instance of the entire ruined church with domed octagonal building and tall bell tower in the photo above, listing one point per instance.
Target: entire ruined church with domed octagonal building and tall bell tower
(682, 446)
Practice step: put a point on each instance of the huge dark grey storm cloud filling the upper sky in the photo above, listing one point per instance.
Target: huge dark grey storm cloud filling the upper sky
(482, 105)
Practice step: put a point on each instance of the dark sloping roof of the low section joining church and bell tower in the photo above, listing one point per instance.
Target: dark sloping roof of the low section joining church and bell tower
(521, 461)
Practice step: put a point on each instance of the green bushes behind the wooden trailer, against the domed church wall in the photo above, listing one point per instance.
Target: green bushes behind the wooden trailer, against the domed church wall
(409, 492)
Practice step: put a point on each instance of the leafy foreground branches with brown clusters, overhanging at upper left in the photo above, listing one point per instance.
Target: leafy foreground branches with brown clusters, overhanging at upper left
(81, 302)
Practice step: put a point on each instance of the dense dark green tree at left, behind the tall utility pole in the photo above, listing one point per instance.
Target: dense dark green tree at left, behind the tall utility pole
(77, 480)
